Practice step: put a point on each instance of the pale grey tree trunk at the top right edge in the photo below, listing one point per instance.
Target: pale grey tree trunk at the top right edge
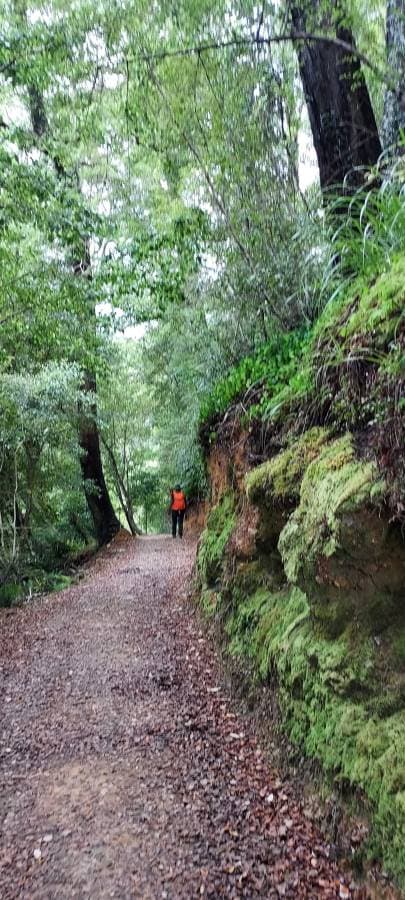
(394, 102)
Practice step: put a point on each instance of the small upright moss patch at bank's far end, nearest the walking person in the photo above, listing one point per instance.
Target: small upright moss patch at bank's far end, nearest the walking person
(220, 524)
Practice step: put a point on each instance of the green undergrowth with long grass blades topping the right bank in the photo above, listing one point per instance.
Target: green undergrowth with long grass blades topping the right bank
(345, 370)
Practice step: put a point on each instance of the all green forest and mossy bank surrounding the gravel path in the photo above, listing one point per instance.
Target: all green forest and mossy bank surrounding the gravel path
(202, 276)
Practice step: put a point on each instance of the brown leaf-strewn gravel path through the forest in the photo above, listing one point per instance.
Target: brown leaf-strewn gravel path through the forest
(124, 771)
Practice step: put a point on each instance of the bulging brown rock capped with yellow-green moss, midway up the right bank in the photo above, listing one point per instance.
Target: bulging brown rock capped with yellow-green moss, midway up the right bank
(339, 547)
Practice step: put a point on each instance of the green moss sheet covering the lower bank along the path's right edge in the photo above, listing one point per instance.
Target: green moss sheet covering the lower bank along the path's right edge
(326, 689)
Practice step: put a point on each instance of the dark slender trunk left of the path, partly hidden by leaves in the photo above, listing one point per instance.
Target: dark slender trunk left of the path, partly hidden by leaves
(106, 523)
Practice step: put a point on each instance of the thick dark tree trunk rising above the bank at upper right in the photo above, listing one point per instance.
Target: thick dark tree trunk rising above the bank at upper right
(342, 120)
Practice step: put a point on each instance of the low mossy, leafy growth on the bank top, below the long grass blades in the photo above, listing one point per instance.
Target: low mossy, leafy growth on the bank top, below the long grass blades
(347, 374)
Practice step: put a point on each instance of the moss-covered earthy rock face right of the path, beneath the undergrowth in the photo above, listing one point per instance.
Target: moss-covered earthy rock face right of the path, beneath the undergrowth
(303, 564)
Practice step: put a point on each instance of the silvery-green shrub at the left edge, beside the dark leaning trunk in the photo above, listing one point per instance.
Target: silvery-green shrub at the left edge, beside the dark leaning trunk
(43, 515)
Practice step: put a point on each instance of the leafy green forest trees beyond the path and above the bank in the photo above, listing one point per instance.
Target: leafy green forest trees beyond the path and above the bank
(166, 243)
